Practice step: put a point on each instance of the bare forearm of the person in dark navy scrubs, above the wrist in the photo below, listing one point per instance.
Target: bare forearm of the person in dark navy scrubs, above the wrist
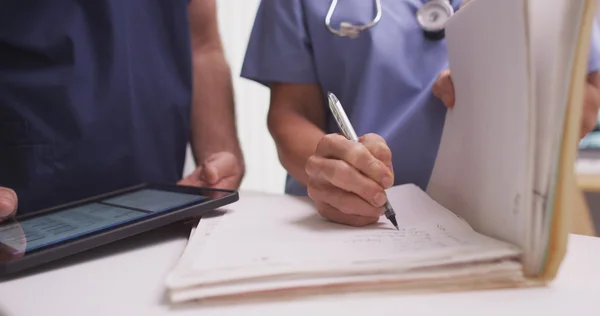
(213, 112)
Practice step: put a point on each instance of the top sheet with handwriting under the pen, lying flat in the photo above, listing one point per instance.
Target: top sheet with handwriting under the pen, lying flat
(269, 237)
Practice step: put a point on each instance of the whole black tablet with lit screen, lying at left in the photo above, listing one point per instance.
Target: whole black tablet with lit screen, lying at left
(40, 237)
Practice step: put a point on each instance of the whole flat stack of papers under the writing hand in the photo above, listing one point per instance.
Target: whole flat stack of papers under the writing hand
(278, 243)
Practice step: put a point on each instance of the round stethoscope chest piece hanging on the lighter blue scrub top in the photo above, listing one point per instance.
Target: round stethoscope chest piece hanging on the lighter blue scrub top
(433, 16)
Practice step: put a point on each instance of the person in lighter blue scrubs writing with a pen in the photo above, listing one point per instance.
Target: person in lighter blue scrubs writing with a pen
(384, 78)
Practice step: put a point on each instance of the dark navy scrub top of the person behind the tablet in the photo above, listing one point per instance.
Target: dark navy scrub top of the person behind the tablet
(94, 96)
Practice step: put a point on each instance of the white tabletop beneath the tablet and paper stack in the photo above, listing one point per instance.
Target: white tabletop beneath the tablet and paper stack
(127, 279)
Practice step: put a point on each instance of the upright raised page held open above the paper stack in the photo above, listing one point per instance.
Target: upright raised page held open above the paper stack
(482, 171)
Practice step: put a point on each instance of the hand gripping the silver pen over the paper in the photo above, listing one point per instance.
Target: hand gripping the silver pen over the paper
(347, 179)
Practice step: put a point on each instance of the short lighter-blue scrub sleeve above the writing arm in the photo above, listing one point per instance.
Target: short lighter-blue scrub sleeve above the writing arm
(279, 48)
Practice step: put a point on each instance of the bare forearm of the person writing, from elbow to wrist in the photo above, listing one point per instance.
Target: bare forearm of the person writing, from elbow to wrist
(296, 139)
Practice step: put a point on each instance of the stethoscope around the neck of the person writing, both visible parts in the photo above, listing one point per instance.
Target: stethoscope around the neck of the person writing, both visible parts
(432, 18)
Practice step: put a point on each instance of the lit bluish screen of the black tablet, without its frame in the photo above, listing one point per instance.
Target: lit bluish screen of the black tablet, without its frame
(40, 231)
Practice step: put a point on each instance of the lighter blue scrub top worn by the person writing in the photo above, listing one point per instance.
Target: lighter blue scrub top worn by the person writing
(383, 78)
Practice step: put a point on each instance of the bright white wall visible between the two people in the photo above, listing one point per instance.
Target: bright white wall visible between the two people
(263, 169)
